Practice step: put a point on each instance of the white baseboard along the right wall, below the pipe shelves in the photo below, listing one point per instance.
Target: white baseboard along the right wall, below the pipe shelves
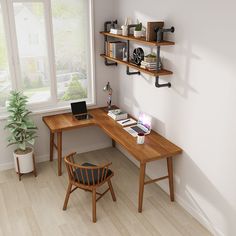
(202, 220)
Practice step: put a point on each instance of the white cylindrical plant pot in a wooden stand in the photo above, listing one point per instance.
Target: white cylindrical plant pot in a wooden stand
(25, 161)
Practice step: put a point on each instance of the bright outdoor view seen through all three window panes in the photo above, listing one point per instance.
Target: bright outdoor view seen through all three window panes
(71, 43)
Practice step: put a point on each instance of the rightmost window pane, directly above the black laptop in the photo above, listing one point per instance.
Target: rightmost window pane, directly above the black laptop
(72, 49)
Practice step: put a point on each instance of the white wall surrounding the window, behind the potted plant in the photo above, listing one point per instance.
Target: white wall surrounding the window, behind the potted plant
(82, 139)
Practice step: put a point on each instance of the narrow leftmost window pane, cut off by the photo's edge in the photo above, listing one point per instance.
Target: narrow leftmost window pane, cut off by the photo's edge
(5, 84)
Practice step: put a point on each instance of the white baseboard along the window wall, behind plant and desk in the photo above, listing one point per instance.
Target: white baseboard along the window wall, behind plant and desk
(42, 158)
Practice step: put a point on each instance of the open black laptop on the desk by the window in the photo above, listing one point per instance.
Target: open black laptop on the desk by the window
(79, 110)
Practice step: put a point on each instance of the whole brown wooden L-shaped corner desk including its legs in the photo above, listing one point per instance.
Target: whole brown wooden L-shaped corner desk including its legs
(155, 147)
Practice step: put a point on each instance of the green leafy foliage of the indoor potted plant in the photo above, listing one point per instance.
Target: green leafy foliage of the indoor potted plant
(21, 127)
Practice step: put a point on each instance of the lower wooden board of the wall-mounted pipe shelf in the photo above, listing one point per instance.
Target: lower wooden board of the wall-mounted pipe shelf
(153, 73)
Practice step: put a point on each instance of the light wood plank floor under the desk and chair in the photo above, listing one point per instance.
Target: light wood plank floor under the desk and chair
(34, 205)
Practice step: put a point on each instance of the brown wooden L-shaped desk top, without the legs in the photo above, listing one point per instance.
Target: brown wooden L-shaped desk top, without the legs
(155, 146)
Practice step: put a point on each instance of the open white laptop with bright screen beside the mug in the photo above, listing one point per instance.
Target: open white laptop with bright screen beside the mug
(143, 125)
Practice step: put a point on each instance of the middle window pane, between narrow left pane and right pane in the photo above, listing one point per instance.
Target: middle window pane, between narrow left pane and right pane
(32, 46)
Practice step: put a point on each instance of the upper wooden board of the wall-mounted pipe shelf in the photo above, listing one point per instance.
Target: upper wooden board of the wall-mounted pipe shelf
(139, 40)
